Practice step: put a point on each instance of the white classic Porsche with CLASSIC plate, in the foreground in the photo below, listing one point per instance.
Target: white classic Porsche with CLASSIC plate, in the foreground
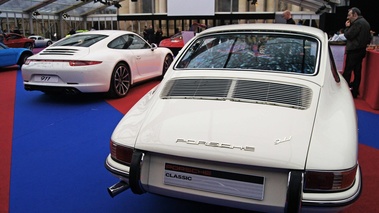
(252, 116)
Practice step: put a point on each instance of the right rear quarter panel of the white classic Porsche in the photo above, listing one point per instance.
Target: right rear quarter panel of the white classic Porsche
(334, 142)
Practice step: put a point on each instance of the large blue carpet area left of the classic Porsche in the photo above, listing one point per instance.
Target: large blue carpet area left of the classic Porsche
(59, 148)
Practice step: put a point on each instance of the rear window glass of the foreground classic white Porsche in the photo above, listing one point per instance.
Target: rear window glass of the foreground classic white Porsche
(253, 51)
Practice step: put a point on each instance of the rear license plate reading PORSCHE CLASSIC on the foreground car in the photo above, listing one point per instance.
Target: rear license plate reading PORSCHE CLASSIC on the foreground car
(234, 184)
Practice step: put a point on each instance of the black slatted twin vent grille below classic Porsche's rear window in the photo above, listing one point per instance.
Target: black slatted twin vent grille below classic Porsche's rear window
(286, 95)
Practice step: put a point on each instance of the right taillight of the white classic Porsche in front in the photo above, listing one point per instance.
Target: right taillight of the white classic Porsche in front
(329, 181)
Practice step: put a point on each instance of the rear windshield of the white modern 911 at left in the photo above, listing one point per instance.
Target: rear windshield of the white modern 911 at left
(80, 40)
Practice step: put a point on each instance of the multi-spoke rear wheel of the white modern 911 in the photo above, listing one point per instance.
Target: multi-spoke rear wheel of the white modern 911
(120, 81)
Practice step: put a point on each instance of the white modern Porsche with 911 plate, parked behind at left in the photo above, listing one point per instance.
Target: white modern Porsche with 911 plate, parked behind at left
(104, 61)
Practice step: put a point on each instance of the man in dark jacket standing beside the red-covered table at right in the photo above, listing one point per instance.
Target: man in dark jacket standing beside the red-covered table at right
(358, 36)
